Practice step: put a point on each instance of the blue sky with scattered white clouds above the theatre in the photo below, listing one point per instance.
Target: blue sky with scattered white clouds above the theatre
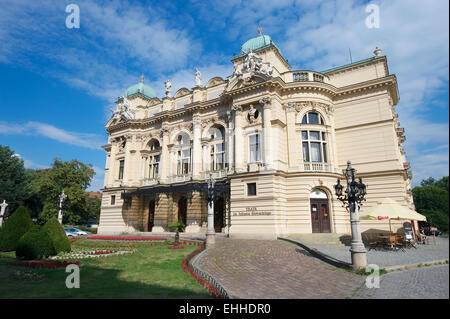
(57, 84)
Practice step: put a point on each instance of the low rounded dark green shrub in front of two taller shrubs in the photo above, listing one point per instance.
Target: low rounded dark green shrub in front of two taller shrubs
(35, 244)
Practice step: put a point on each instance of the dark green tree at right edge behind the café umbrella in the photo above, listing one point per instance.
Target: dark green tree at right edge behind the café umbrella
(431, 200)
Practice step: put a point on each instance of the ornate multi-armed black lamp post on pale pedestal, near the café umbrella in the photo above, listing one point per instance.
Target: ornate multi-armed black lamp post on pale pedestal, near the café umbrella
(355, 193)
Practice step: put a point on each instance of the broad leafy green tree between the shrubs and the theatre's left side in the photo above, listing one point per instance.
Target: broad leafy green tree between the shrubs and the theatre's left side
(73, 177)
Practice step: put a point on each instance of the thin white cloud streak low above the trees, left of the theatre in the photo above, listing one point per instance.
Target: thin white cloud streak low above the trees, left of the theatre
(91, 141)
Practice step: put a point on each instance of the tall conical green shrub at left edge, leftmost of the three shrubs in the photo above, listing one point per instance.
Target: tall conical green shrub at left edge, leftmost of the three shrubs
(14, 228)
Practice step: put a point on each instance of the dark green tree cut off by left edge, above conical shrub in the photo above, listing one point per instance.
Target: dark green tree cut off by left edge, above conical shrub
(13, 179)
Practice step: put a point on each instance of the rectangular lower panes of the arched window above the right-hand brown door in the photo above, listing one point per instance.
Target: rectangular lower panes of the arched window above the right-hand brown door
(314, 146)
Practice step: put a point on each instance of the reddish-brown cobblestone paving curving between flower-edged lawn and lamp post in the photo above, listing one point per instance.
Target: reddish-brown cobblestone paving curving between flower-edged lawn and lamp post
(275, 269)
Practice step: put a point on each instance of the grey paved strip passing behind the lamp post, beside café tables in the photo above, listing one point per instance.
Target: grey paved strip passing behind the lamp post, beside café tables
(384, 258)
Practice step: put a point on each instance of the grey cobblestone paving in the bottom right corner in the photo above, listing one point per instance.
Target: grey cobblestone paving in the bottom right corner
(417, 283)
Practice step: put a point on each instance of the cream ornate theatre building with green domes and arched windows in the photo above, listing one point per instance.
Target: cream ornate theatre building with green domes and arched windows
(274, 139)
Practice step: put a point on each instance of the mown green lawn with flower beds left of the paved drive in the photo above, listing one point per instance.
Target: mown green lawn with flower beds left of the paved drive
(151, 272)
